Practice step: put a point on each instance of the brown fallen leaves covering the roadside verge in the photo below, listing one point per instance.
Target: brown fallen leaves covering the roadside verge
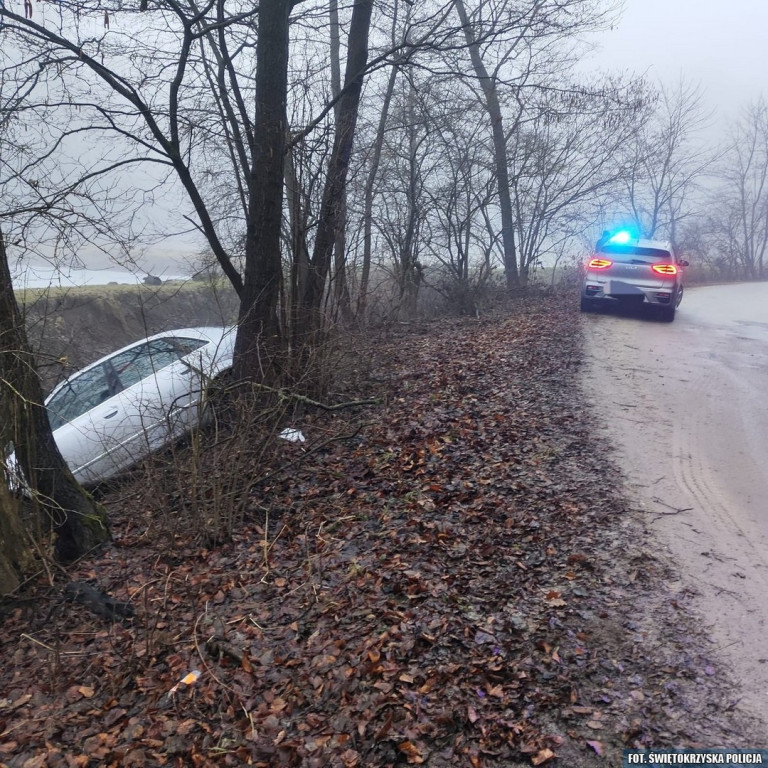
(458, 583)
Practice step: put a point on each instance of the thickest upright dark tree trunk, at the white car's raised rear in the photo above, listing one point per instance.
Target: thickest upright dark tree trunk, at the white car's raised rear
(258, 348)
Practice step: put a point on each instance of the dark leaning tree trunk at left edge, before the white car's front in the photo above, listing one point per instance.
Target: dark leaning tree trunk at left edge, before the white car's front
(79, 522)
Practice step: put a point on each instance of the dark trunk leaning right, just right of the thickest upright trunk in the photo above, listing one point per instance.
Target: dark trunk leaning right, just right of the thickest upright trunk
(330, 217)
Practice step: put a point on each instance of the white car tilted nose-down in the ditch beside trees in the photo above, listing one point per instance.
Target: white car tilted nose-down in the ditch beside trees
(110, 415)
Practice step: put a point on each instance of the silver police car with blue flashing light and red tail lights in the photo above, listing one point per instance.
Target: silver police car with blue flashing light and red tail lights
(625, 270)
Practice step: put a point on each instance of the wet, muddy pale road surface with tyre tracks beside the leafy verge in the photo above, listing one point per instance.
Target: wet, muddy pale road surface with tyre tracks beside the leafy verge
(686, 407)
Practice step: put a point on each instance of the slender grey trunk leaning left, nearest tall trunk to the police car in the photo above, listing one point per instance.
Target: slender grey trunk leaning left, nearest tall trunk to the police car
(493, 108)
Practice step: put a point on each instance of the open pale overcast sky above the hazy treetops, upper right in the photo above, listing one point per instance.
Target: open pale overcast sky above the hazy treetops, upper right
(720, 44)
